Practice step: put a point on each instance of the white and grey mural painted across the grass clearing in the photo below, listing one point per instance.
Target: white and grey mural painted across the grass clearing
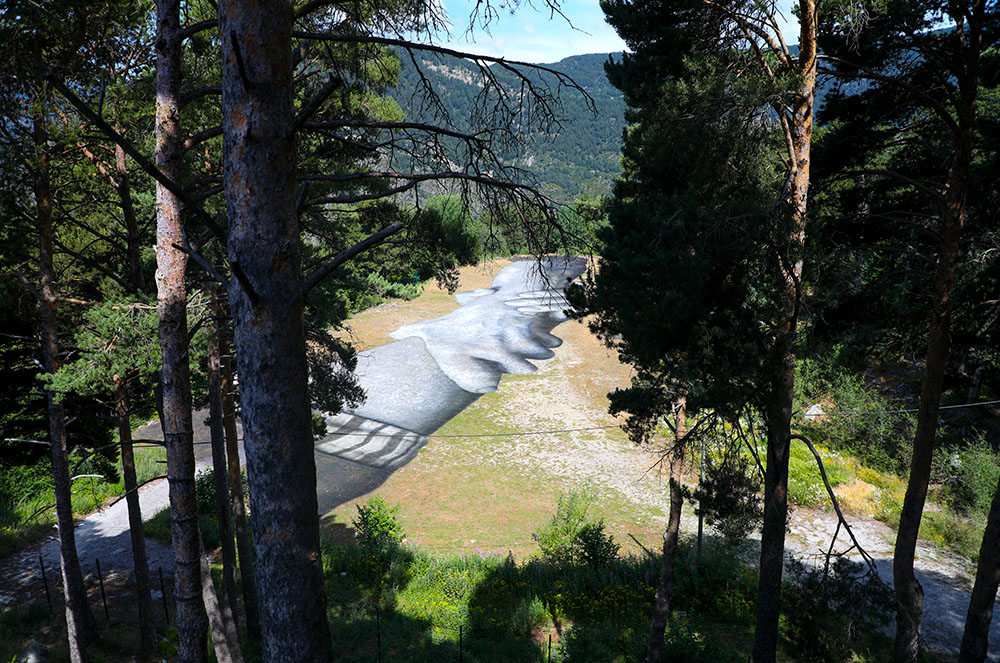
(438, 367)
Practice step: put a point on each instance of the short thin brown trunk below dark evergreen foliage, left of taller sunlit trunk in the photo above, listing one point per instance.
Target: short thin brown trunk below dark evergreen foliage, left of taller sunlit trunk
(661, 611)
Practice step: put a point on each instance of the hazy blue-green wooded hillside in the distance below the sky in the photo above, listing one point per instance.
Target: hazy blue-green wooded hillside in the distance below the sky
(582, 158)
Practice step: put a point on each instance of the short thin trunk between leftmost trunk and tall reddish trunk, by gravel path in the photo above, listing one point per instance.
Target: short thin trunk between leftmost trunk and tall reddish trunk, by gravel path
(147, 634)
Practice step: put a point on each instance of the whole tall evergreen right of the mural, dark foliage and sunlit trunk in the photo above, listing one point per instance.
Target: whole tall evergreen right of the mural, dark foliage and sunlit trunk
(701, 283)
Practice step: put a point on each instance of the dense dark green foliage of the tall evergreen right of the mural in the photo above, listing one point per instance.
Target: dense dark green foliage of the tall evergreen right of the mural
(700, 171)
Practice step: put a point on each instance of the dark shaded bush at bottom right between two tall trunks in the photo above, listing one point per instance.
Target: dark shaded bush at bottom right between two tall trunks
(829, 617)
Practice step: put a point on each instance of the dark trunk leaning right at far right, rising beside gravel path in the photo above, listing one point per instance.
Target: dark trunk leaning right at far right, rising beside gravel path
(909, 593)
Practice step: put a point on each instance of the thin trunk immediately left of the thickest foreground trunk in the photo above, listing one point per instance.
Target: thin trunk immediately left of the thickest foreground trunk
(248, 579)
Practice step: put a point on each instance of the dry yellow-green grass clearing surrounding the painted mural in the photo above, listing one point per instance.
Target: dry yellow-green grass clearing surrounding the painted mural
(464, 493)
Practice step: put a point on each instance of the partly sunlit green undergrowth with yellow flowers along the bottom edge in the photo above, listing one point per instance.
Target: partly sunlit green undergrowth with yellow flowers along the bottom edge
(506, 610)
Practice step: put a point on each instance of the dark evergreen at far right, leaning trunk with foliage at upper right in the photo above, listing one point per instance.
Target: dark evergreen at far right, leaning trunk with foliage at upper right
(920, 99)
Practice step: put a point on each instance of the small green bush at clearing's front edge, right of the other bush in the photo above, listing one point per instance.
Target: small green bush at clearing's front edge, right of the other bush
(572, 537)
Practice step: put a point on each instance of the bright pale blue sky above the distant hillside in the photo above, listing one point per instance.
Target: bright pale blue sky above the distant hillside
(530, 35)
